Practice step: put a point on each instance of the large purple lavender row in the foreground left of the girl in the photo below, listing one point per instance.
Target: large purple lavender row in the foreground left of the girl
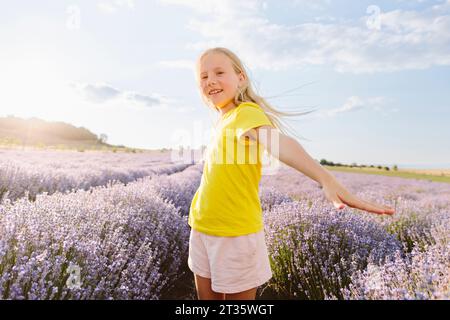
(125, 242)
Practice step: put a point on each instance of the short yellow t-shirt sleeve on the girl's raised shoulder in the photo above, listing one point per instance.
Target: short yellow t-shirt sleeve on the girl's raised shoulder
(249, 117)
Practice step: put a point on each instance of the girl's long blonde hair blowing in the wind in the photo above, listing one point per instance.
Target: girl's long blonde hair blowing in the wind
(248, 94)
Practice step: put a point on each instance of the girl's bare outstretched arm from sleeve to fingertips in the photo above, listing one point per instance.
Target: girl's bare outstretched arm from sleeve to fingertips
(290, 152)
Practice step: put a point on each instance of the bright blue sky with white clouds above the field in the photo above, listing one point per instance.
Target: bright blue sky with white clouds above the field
(376, 72)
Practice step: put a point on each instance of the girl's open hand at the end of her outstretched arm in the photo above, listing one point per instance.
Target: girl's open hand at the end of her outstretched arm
(340, 197)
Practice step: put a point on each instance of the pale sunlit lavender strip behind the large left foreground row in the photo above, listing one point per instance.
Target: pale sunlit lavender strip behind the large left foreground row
(28, 173)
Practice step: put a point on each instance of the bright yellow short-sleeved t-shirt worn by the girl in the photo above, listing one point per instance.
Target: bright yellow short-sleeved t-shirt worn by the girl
(227, 200)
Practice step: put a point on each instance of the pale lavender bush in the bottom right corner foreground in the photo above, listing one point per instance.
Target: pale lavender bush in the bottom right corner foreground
(422, 272)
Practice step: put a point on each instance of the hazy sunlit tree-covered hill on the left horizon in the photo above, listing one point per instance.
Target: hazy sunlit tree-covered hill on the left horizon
(34, 132)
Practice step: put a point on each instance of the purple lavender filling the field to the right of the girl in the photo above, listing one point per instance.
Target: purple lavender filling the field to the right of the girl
(319, 253)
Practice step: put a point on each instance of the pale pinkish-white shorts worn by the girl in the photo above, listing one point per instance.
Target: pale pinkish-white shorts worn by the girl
(234, 264)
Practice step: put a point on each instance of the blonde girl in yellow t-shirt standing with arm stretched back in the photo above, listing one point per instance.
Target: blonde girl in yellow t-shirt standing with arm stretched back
(227, 249)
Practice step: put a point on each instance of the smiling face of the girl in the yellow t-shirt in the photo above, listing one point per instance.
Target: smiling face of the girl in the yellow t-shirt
(216, 74)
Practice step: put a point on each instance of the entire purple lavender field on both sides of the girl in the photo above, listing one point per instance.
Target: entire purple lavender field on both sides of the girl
(114, 226)
